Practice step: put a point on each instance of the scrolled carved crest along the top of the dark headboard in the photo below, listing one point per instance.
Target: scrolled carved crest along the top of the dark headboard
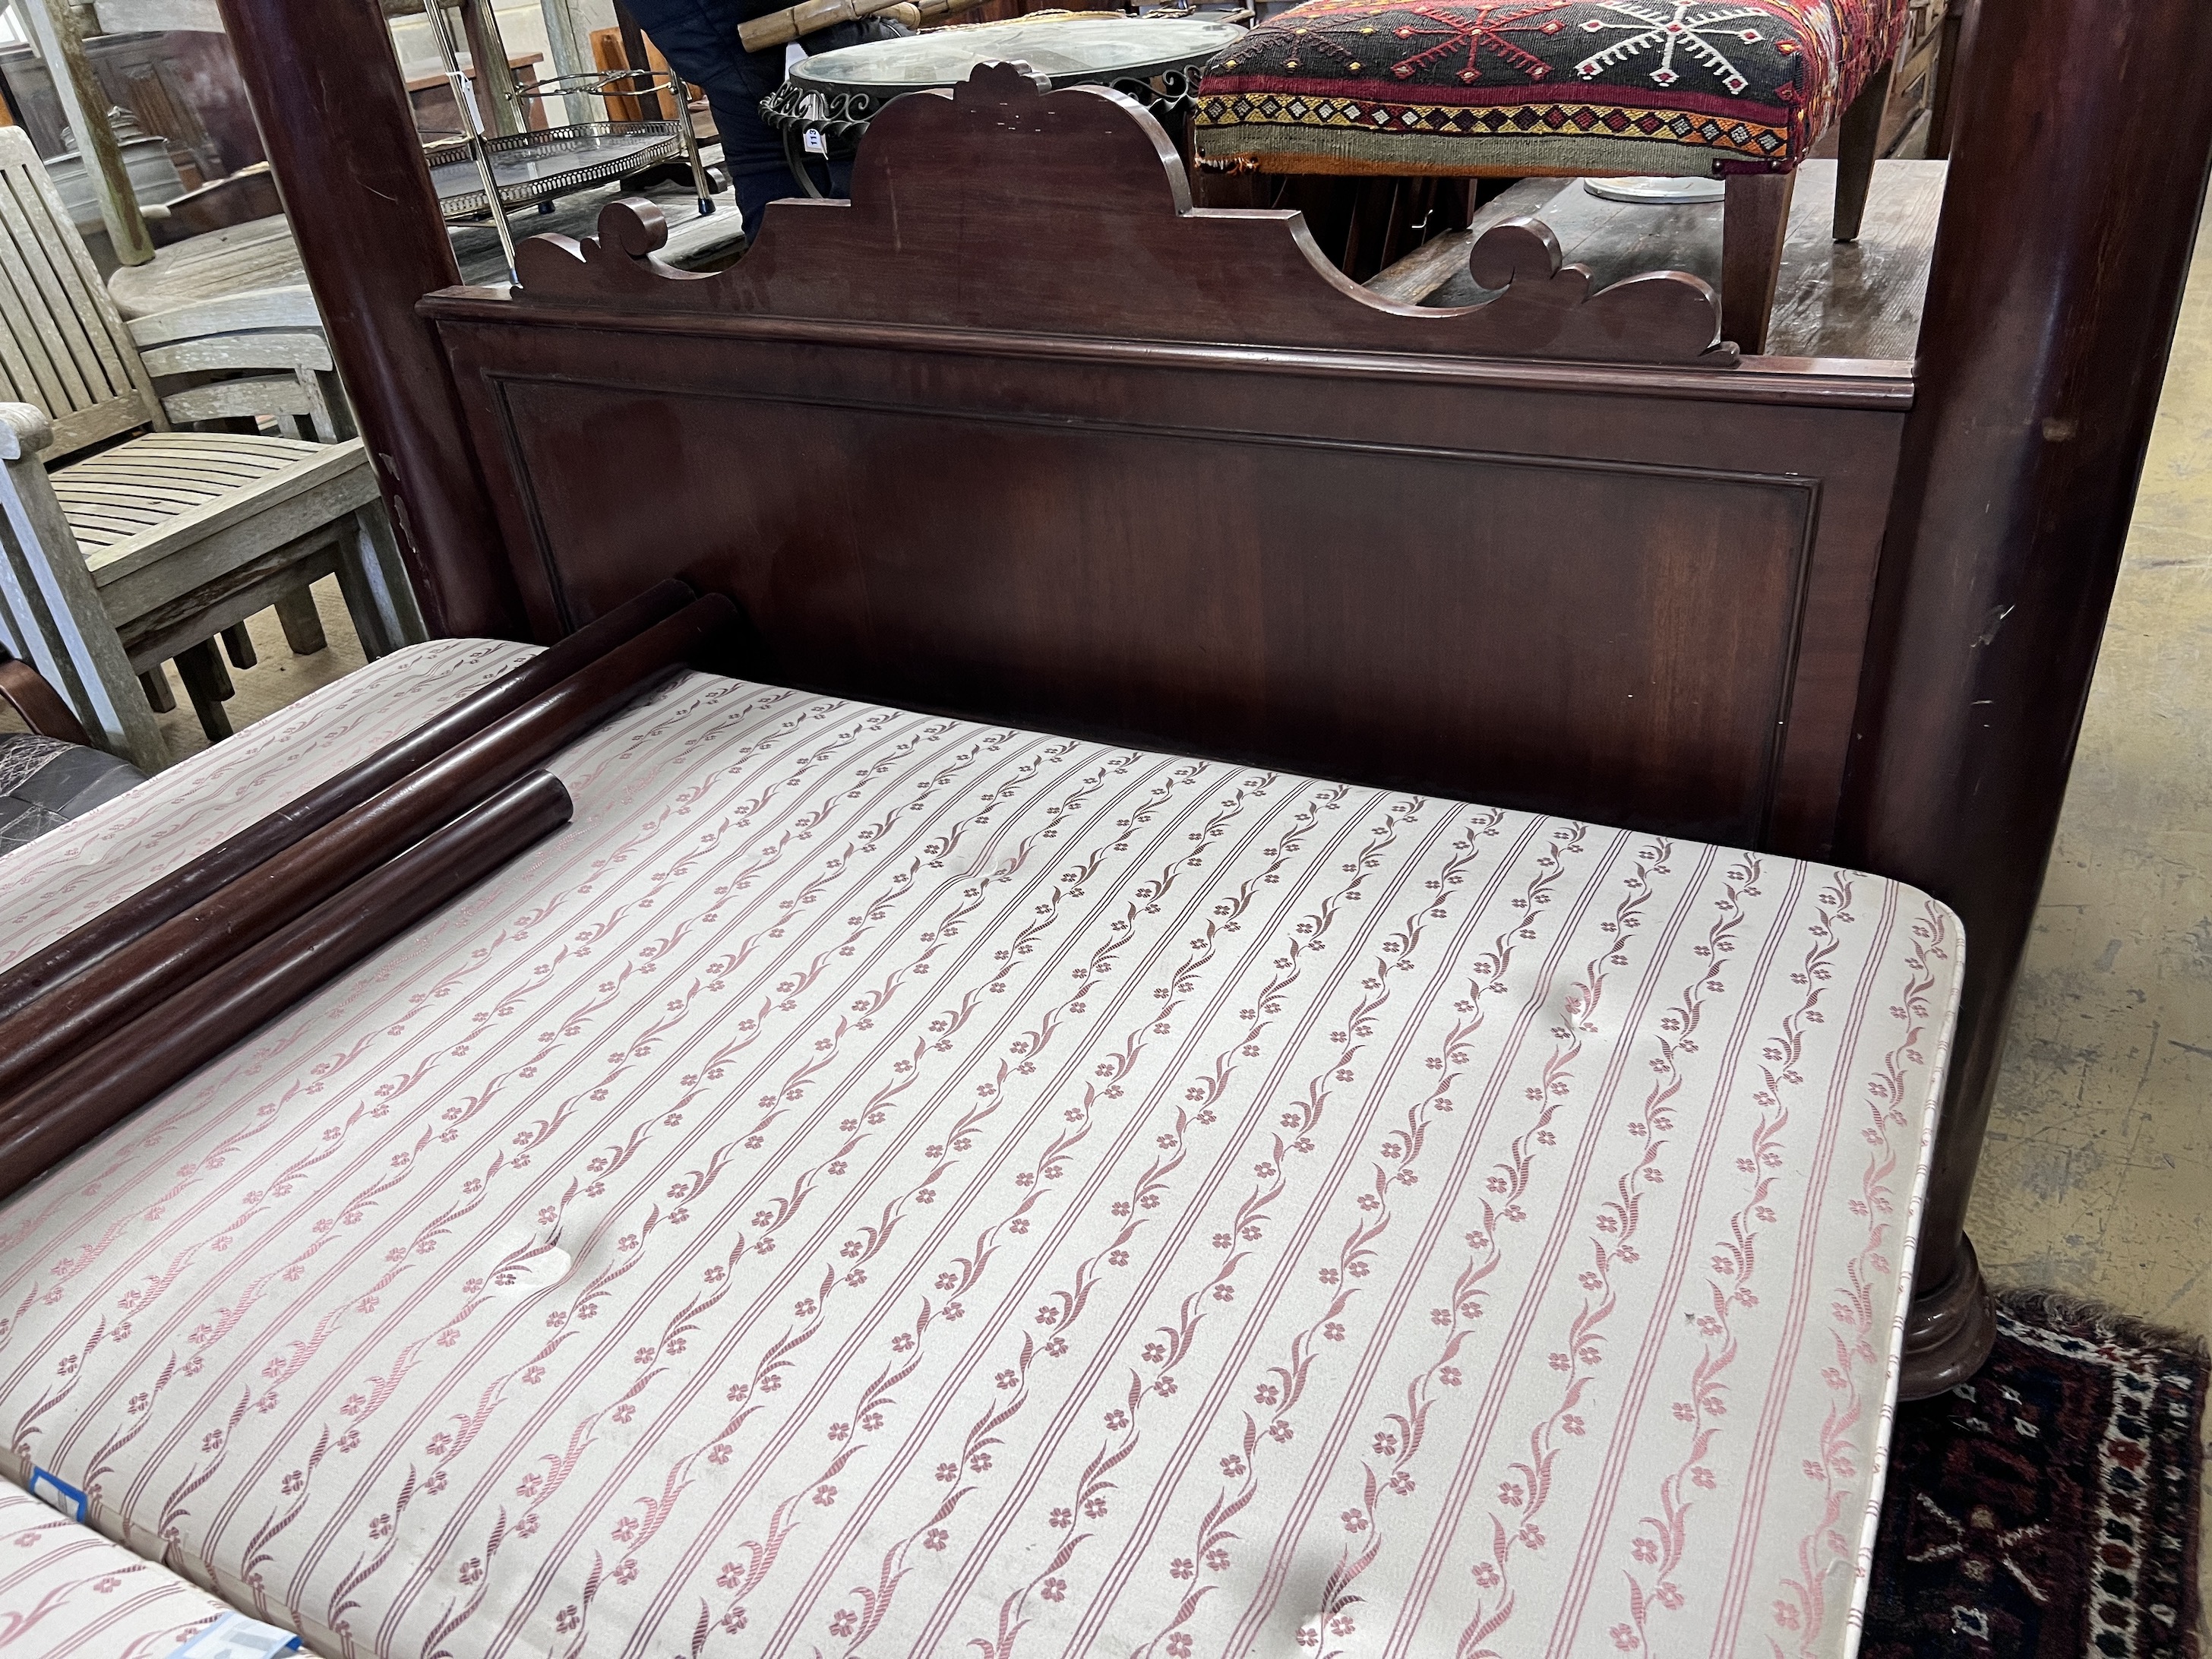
(1094, 182)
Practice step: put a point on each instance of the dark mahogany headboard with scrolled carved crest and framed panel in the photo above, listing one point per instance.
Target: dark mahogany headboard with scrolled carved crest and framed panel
(1023, 435)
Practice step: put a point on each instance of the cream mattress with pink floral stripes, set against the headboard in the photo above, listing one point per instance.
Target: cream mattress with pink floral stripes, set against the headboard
(879, 1185)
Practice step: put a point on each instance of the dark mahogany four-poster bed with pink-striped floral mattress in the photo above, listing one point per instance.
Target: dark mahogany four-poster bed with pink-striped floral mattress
(963, 1142)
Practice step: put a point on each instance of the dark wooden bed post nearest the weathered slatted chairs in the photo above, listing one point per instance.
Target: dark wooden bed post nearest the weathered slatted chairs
(342, 143)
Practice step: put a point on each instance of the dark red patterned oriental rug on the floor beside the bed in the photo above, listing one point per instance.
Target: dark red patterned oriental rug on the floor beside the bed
(2049, 1507)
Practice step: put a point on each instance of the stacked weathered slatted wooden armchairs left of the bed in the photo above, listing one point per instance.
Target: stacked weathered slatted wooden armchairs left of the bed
(149, 550)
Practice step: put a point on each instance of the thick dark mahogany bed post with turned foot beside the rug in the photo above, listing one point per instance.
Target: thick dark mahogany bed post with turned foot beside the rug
(2043, 355)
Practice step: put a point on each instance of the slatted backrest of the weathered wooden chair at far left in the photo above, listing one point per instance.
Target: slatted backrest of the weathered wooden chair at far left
(63, 344)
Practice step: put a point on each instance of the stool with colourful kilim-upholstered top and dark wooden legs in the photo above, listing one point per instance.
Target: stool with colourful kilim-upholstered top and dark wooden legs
(1738, 90)
